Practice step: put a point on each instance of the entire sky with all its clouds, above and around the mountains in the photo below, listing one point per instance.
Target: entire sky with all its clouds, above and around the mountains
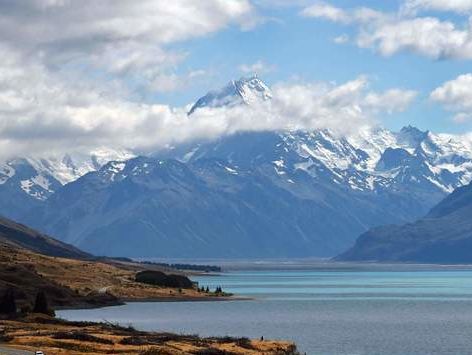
(119, 72)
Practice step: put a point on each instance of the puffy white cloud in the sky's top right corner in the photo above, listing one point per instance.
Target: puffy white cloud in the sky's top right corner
(391, 33)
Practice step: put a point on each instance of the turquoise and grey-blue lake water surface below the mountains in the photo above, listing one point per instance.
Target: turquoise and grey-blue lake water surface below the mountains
(325, 309)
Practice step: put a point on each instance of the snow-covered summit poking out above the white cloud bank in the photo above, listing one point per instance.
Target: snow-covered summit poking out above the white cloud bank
(243, 91)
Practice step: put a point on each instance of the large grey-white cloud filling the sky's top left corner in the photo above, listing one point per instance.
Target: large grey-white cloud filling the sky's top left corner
(119, 37)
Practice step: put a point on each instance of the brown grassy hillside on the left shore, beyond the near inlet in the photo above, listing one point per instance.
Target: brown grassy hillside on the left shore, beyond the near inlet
(81, 283)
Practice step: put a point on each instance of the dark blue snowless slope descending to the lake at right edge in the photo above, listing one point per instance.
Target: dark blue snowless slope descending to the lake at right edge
(442, 236)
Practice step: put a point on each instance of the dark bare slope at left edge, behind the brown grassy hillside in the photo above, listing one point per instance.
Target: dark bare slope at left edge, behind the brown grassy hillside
(18, 235)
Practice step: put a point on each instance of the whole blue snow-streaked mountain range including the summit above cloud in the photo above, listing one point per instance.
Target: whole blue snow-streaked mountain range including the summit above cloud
(251, 194)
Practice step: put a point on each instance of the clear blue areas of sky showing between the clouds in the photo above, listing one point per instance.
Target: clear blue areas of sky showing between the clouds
(299, 48)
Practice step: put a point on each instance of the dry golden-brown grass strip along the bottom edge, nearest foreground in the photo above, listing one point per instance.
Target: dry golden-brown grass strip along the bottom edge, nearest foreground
(35, 333)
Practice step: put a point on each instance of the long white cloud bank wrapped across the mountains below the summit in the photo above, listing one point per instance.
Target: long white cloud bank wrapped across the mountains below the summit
(44, 113)
